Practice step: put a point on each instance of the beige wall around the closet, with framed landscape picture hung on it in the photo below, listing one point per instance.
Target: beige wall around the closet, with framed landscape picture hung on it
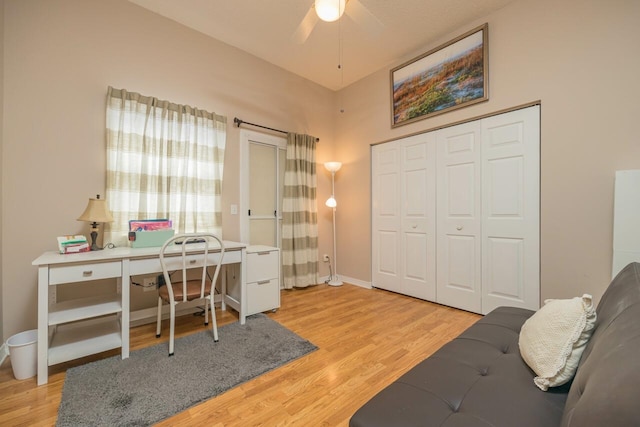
(580, 58)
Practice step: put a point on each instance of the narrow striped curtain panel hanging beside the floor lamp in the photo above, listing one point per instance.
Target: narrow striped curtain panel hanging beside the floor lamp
(300, 213)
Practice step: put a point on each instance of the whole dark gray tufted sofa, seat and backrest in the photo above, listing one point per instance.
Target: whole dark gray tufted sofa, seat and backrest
(479, 378)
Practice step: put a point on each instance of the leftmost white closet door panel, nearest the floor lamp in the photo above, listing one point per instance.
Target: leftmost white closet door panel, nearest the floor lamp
(385, 239)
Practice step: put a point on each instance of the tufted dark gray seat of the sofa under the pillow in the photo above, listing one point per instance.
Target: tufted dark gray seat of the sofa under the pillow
(478, 379)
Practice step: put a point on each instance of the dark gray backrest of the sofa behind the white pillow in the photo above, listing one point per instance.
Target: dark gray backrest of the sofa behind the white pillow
(605, 389)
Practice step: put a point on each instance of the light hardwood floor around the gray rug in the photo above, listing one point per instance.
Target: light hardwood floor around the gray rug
(366, 339)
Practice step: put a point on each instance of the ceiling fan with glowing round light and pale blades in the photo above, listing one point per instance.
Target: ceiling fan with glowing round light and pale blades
(332, 10)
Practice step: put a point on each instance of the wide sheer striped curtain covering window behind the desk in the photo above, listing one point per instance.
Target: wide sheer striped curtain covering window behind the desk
(164, 160)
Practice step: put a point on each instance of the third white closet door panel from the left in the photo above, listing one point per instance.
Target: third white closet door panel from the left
(459, 216)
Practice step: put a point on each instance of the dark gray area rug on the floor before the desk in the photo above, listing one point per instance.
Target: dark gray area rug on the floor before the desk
(150, 386)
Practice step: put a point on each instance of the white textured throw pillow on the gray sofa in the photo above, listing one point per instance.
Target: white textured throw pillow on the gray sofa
(553, 339)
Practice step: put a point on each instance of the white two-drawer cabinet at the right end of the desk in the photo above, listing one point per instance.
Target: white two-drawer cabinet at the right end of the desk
(263, 279)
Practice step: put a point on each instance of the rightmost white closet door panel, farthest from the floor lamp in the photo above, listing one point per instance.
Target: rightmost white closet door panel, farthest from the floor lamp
(511, 210)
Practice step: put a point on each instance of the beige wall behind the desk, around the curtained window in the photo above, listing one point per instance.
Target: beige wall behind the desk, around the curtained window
(60, 56)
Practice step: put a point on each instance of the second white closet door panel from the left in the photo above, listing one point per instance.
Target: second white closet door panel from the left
(418, 212)
